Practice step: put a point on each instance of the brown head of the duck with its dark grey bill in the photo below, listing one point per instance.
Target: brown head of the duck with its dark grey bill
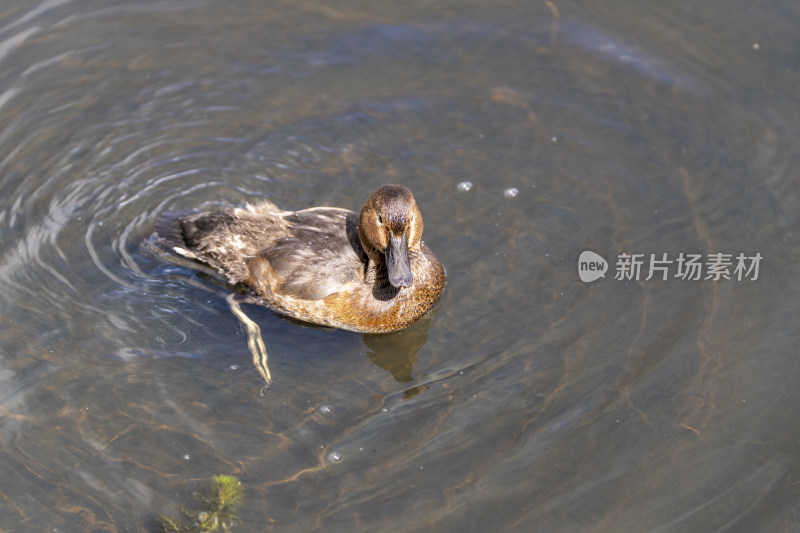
(389, 227)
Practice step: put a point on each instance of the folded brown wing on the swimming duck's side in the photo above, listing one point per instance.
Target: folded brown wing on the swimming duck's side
(319, 254)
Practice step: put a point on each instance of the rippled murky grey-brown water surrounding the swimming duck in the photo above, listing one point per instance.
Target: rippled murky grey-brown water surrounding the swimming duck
(530, 400)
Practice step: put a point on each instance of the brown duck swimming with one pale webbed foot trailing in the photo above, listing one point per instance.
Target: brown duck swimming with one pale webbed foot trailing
(368, 272)
